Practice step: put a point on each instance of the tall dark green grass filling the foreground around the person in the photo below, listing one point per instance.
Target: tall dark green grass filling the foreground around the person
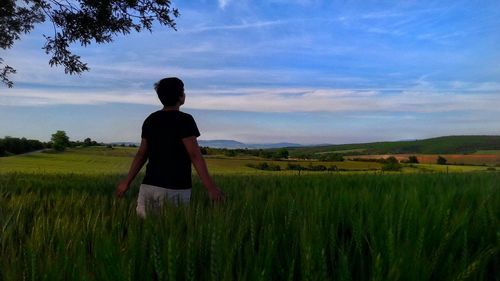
(314, 227)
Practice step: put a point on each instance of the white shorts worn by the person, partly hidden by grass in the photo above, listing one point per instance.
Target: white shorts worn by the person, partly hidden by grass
(151, 198)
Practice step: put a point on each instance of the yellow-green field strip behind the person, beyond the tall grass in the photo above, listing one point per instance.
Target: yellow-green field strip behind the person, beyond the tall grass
(102, 160)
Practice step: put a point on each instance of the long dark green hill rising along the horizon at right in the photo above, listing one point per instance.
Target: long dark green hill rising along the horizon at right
(439, 145)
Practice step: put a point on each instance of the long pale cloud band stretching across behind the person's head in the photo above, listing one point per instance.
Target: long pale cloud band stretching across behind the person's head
(283, 99)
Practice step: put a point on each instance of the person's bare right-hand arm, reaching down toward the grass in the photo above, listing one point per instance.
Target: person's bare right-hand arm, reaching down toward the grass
(198, 161)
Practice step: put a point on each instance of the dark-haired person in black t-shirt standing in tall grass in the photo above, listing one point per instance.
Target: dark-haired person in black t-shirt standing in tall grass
(169, 145)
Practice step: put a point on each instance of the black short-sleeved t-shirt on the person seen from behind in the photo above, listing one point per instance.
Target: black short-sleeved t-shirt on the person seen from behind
(169, 165)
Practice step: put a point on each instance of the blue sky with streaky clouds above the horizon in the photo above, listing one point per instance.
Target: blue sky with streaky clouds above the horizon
(270, 71)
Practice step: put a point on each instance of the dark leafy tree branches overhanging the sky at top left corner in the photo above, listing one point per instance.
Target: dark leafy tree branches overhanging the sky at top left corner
(77, 21)
